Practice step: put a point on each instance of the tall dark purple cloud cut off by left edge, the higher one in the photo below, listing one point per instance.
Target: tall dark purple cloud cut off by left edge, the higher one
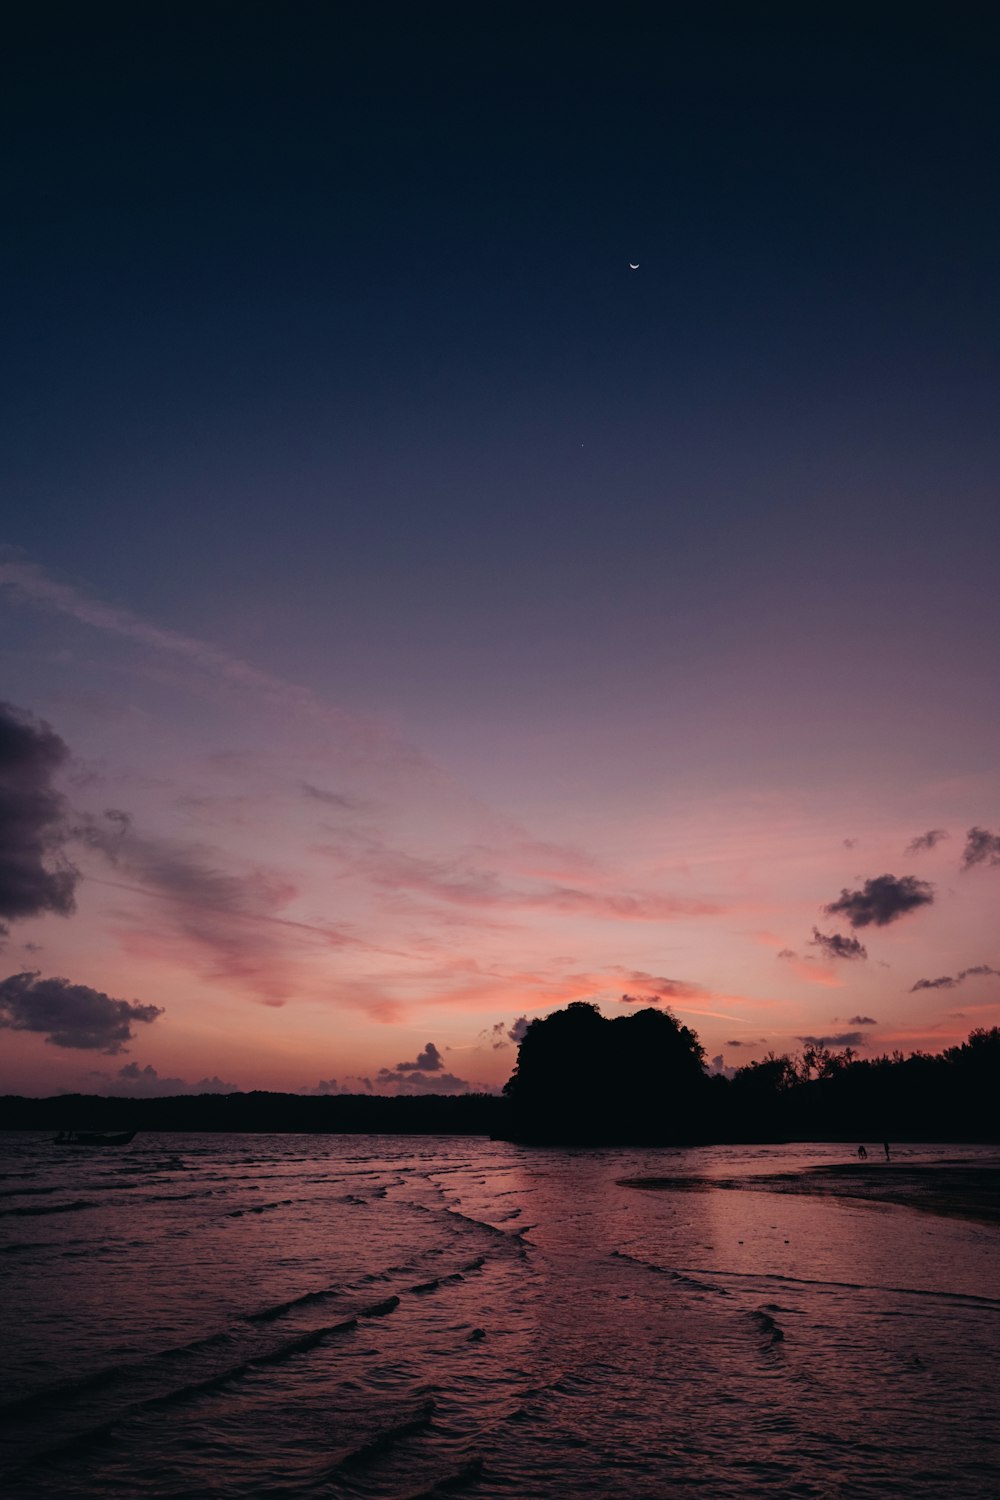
(32, 821)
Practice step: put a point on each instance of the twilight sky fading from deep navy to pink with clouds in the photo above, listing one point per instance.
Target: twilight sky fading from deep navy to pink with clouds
(413, 619)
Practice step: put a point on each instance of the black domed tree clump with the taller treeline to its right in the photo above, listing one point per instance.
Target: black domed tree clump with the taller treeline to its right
(641, 1079)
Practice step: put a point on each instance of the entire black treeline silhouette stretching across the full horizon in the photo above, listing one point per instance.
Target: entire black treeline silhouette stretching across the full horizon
(582, 1079)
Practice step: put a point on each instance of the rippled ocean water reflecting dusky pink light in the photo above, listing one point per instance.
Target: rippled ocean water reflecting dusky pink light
(283, 1316)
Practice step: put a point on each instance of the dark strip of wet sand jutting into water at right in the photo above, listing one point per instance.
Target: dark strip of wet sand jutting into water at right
(956, 1189)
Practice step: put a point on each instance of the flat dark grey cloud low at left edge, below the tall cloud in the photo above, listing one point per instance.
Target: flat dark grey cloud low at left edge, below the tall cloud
(70, 1015)
